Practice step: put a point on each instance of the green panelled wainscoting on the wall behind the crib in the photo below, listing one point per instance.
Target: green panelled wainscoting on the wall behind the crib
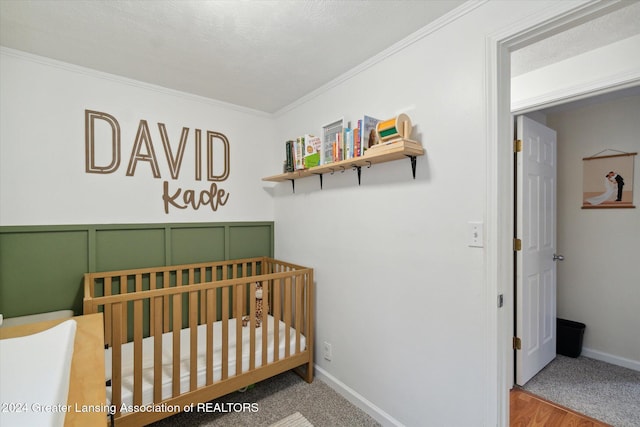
(41, 267)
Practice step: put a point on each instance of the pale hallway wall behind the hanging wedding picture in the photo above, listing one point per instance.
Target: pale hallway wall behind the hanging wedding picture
(598, 281)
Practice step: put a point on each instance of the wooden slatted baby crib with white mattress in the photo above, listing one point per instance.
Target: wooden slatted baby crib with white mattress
(174, 335)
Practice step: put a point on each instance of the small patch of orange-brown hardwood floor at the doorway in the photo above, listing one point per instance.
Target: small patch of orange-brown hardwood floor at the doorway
(528, 410)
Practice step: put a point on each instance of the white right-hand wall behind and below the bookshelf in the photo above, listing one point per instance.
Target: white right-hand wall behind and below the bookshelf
(400, 295)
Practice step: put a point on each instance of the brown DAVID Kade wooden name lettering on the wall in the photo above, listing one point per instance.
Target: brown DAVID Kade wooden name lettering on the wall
(106, 160)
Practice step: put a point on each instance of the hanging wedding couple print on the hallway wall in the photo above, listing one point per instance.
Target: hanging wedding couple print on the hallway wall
(607, 181)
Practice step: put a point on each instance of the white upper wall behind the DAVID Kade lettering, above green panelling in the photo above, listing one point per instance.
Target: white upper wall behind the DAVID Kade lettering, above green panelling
(42, 149)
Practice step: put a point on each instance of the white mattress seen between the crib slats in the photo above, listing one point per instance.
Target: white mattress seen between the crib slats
(185, 356)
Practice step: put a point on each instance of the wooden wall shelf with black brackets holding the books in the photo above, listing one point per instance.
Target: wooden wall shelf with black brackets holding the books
(377, 154)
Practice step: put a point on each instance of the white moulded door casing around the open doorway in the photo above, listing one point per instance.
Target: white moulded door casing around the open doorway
(500, 218)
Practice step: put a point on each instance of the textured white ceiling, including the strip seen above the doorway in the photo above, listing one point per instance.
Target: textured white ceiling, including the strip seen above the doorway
(260, 54)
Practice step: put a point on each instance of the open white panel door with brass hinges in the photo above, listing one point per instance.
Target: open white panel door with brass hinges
(536, 268)
